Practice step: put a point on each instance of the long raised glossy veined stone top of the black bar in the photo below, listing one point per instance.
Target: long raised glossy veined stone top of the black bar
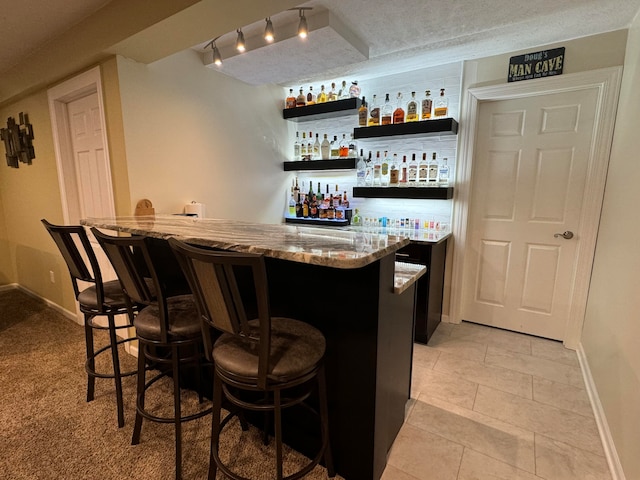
(313, 245)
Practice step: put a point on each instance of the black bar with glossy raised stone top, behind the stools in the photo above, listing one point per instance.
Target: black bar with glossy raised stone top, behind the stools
(349, 286)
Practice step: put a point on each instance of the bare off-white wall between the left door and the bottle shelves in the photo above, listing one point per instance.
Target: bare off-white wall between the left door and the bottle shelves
(193, 133)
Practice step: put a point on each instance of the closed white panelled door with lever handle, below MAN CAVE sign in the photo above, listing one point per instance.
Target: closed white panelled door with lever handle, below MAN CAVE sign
(531, 161)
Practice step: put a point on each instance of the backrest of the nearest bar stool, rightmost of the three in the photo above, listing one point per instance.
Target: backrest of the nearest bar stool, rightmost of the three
(212, 276)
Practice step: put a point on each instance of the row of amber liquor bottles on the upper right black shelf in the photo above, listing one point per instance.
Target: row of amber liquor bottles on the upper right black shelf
(411, 110)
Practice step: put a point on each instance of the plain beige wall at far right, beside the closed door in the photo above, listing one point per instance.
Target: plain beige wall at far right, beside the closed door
(612, 330)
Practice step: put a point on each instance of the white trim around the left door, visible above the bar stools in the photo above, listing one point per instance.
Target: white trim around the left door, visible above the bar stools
(59, 96)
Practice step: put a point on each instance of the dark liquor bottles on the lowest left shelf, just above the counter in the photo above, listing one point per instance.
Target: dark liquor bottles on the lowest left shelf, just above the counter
(314, 204)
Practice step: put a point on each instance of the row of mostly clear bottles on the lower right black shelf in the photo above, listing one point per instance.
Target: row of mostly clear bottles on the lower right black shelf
(389, 171)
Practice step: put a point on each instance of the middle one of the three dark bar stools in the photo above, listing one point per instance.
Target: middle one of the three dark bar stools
(167, 328)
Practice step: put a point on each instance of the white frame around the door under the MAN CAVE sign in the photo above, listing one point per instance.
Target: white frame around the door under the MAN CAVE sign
(607, 82)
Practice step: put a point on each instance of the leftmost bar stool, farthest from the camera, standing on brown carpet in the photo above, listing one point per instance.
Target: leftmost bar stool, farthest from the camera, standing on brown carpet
(101, 299)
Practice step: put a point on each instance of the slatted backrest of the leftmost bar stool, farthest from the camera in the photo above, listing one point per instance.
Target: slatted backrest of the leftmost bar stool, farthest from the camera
(81, 267)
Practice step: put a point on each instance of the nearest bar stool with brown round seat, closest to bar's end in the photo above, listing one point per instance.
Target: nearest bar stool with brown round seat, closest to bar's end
(277, 360)
